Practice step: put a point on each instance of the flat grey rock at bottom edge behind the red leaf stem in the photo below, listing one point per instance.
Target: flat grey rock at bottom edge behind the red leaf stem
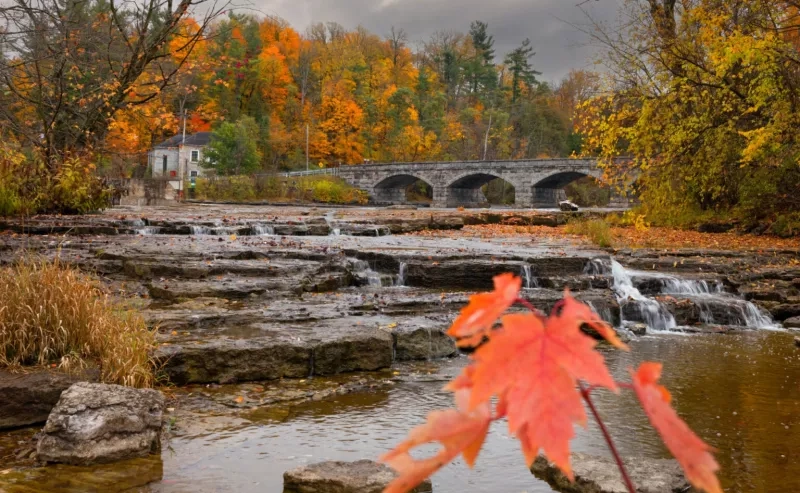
(595, 474)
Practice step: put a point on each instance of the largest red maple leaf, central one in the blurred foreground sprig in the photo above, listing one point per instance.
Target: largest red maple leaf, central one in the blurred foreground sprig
(534, 366)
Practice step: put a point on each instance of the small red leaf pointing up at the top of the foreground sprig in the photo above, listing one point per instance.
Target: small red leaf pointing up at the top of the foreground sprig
(483, 310)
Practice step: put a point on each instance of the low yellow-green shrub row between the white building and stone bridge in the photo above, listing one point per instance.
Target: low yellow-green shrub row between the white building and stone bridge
(324, 189)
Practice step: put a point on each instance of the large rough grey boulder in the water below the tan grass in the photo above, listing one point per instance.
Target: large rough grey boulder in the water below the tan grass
(97, 423)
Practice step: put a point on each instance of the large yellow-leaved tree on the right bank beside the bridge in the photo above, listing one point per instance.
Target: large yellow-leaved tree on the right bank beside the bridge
(703, 97)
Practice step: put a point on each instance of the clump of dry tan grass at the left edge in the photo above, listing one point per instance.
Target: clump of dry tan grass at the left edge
(53, 314)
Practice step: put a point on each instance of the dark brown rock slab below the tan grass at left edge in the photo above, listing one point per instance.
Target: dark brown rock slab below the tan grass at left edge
(27, 398)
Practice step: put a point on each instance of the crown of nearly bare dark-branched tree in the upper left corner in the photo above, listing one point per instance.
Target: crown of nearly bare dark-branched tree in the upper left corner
(67, 67)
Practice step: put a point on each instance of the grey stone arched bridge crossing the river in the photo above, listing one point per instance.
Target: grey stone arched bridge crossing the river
(536, 182)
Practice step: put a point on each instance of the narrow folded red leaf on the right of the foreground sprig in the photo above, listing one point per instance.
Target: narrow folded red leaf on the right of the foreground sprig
(693, 454)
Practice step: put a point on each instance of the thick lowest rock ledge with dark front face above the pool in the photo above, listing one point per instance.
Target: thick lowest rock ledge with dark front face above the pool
(329, 347)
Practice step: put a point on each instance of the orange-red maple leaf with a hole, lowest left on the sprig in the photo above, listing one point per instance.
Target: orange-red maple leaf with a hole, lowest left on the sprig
(460, 431)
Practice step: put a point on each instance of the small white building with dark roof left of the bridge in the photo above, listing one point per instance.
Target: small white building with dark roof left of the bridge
(179, 159)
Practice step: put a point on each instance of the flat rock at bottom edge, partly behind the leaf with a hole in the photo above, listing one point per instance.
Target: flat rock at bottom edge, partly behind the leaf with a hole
(364, 476)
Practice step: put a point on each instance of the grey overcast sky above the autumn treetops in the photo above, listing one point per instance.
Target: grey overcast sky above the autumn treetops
(559, 46)
